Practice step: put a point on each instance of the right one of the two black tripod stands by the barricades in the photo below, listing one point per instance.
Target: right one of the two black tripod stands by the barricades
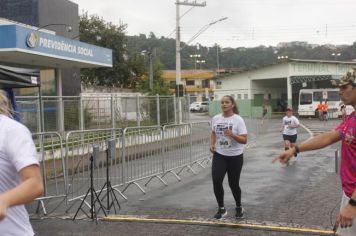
(110, 191)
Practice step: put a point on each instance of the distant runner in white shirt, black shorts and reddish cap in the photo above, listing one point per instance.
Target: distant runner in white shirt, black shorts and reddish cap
(289, 129)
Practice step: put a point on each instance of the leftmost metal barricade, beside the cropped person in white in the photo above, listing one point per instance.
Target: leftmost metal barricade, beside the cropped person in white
(50, 150)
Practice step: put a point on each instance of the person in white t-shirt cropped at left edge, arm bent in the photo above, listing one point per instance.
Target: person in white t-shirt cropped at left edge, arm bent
(20, 177)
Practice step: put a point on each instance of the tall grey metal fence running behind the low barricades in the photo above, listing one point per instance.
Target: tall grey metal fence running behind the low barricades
(100, 111)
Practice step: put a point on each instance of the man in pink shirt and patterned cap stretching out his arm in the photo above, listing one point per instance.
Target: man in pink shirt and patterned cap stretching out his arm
(346, 133)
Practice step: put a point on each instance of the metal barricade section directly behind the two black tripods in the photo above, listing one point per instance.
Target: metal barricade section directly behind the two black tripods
(79, 148)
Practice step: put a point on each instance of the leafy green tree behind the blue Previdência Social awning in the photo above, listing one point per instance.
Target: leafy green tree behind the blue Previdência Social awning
(125, 70)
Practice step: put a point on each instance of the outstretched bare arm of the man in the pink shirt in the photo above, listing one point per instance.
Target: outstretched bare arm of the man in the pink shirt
(317, 142)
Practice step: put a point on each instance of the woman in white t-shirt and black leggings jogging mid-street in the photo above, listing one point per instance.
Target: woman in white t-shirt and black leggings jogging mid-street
(228, 137)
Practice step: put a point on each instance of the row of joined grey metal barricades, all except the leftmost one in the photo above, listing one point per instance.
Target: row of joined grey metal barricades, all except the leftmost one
(142, 153)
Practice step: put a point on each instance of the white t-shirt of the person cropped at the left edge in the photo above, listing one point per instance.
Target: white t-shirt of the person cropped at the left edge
(17, 151)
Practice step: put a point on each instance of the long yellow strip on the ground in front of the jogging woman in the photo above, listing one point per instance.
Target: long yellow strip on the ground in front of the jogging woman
(219, 223)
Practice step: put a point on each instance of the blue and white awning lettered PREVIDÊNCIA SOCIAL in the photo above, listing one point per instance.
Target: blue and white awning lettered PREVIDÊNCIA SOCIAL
(20, 45)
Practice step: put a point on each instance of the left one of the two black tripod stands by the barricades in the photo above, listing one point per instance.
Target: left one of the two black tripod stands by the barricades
(91, 191)
